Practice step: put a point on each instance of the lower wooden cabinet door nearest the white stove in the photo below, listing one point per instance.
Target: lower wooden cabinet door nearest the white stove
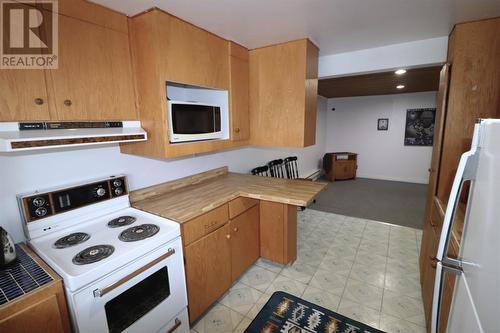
(208, 270)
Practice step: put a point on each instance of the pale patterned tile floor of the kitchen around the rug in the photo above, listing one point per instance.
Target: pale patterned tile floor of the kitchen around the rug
(362, 269)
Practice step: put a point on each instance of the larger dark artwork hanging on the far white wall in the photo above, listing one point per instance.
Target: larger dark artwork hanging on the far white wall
(419, 130)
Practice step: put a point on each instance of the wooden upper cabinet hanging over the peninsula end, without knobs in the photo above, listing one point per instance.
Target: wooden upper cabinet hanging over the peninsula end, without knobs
(283, 93)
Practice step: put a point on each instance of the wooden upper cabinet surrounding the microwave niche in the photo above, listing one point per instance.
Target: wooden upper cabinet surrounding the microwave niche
(167, 49)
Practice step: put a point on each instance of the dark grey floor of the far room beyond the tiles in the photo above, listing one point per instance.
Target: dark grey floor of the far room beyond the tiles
(386, 201)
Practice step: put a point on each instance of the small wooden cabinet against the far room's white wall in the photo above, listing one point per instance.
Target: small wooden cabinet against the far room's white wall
(341, 165)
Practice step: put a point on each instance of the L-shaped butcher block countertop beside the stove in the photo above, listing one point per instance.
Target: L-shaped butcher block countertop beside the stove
(186, 198)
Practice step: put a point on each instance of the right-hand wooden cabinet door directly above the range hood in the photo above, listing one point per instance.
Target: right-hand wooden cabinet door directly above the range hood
(94, 79)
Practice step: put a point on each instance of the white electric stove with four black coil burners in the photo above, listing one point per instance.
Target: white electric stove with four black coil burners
(122, 268)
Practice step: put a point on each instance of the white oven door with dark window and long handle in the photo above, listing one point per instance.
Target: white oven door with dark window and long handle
(144, 296)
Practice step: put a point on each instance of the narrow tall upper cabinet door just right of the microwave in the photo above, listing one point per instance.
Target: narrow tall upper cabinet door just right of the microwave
(238, 92)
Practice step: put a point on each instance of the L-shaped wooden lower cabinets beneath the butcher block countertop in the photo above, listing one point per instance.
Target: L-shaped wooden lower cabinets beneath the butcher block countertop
(217, 259)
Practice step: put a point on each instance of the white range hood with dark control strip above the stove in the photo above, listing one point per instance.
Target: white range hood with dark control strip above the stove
(21, 136)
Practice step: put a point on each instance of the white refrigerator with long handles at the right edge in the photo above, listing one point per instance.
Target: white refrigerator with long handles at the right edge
(476, 299)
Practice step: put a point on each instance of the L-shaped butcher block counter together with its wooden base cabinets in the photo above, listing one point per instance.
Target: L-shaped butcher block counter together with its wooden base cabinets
(228, 220)
